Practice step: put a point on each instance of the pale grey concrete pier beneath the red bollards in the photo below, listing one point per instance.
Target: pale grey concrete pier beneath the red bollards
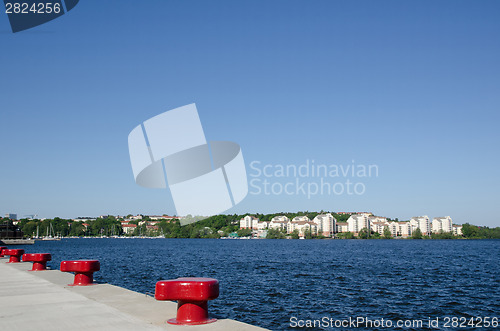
(42, 300)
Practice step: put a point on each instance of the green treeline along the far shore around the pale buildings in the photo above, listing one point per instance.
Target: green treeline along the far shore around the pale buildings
(213, 227)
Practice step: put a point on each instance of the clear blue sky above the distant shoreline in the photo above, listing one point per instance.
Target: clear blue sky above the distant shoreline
(412, 87)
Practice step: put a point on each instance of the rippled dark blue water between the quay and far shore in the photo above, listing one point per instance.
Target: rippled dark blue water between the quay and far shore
(266, 282)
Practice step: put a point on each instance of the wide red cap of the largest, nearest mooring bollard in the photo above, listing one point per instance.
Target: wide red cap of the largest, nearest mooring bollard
(187, 289)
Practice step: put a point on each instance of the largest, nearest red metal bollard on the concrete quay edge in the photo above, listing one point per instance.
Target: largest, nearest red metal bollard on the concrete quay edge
(192, 295)
